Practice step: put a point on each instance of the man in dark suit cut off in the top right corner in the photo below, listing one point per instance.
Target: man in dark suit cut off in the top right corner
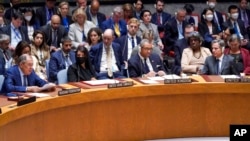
(244, 13)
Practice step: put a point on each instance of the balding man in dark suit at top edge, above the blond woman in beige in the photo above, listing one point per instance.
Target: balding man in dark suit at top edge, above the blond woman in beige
(93, 13)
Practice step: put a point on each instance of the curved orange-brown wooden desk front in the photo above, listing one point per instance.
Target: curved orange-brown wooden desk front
(131, 114)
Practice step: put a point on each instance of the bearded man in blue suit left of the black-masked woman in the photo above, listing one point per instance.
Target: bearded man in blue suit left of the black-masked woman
(61, 59)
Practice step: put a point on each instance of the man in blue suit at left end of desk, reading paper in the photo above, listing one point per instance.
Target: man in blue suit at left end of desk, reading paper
(22, 78)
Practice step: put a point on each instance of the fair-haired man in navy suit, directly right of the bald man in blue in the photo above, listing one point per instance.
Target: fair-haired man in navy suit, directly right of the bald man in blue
(131, 40)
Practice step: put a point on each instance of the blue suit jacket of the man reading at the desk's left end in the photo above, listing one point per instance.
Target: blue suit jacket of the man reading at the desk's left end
(13, 83)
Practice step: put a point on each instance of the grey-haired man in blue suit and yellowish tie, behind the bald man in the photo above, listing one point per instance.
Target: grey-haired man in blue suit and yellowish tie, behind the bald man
(116, 23)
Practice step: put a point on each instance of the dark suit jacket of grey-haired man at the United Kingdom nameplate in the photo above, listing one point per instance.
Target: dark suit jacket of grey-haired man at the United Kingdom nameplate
(135, 65)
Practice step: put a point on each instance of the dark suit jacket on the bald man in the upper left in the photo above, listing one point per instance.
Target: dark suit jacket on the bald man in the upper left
(61, 32)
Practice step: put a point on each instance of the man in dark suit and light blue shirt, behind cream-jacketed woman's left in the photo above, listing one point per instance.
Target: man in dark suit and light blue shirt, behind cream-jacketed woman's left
(174, 29)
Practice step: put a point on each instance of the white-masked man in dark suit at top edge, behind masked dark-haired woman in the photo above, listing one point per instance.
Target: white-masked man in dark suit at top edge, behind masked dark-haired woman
(217, 19)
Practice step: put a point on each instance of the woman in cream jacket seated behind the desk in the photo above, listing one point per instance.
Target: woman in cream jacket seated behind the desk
(194, 56)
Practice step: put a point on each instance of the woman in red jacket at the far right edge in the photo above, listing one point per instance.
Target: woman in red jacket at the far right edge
(241, 56)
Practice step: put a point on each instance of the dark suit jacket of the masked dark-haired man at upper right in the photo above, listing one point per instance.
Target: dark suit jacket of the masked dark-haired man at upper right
(243, 31)
